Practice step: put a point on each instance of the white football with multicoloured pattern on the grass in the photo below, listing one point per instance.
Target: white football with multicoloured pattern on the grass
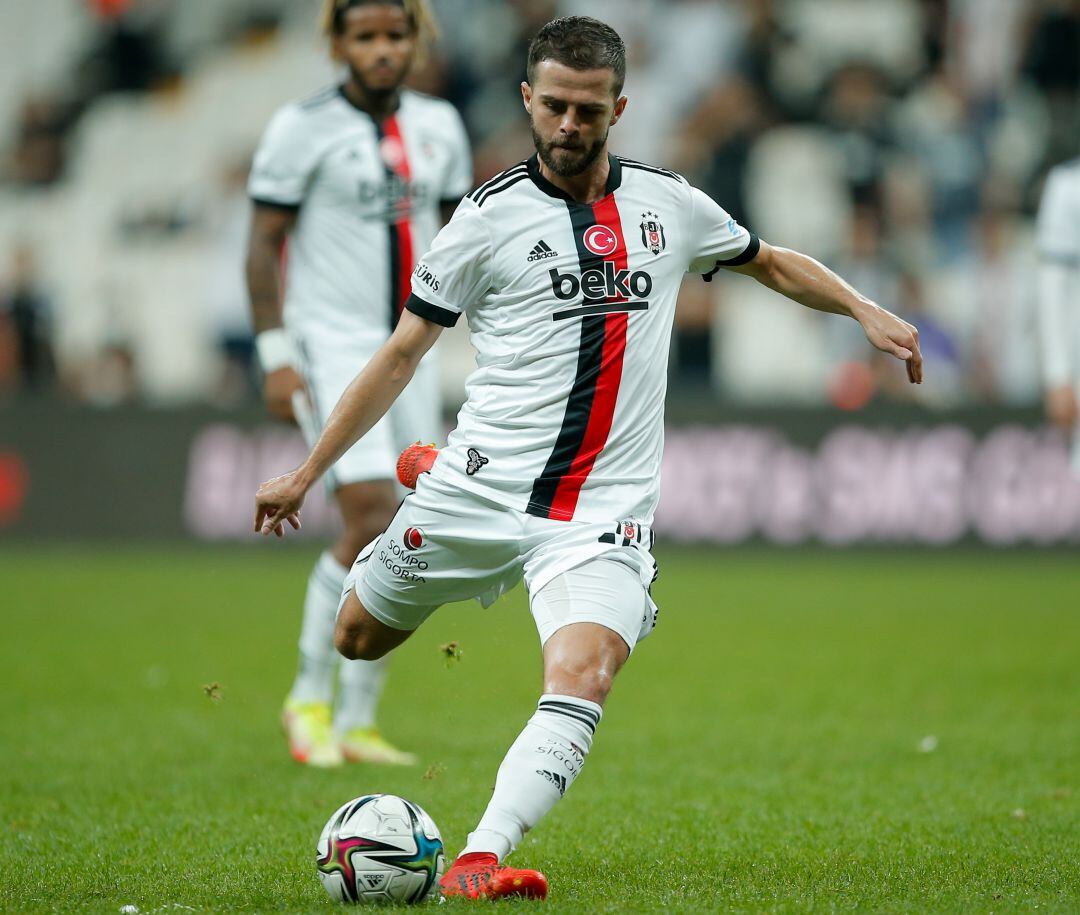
(381, 849)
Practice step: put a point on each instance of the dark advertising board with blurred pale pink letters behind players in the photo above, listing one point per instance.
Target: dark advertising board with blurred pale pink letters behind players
(778, 477)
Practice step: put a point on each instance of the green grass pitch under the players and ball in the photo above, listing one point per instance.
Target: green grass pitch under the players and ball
(764, 751)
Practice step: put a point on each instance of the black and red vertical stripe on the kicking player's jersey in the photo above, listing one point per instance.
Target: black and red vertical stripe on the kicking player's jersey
(590, 409)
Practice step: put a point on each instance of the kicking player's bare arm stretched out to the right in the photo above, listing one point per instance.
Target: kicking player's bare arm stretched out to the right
(813, 285)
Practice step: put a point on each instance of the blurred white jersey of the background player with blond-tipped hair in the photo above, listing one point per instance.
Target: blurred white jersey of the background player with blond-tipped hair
(368, 198)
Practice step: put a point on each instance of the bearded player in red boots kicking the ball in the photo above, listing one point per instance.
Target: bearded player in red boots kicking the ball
(568, 268)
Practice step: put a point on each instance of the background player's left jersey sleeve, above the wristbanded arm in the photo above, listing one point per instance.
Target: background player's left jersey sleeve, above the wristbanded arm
(285, 162)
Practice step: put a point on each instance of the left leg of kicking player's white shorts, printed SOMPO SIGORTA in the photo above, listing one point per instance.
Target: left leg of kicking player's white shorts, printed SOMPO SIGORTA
(443, 546)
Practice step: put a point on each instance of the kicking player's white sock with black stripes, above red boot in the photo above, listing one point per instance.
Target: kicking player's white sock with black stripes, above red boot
(536, 773)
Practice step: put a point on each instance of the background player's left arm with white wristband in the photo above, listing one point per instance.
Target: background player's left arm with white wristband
(271, 227)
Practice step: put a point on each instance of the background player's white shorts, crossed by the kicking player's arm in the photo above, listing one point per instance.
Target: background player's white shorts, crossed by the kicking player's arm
(416, 416)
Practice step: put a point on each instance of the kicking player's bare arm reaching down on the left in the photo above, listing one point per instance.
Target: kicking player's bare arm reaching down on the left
(364, 402)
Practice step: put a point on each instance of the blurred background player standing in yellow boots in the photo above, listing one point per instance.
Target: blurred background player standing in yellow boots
(353, 179)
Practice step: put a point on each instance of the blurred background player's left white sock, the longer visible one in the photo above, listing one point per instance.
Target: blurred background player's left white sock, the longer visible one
(319, 660)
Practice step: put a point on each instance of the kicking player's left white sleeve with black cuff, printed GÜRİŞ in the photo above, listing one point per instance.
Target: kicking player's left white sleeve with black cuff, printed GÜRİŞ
(455, 273)
